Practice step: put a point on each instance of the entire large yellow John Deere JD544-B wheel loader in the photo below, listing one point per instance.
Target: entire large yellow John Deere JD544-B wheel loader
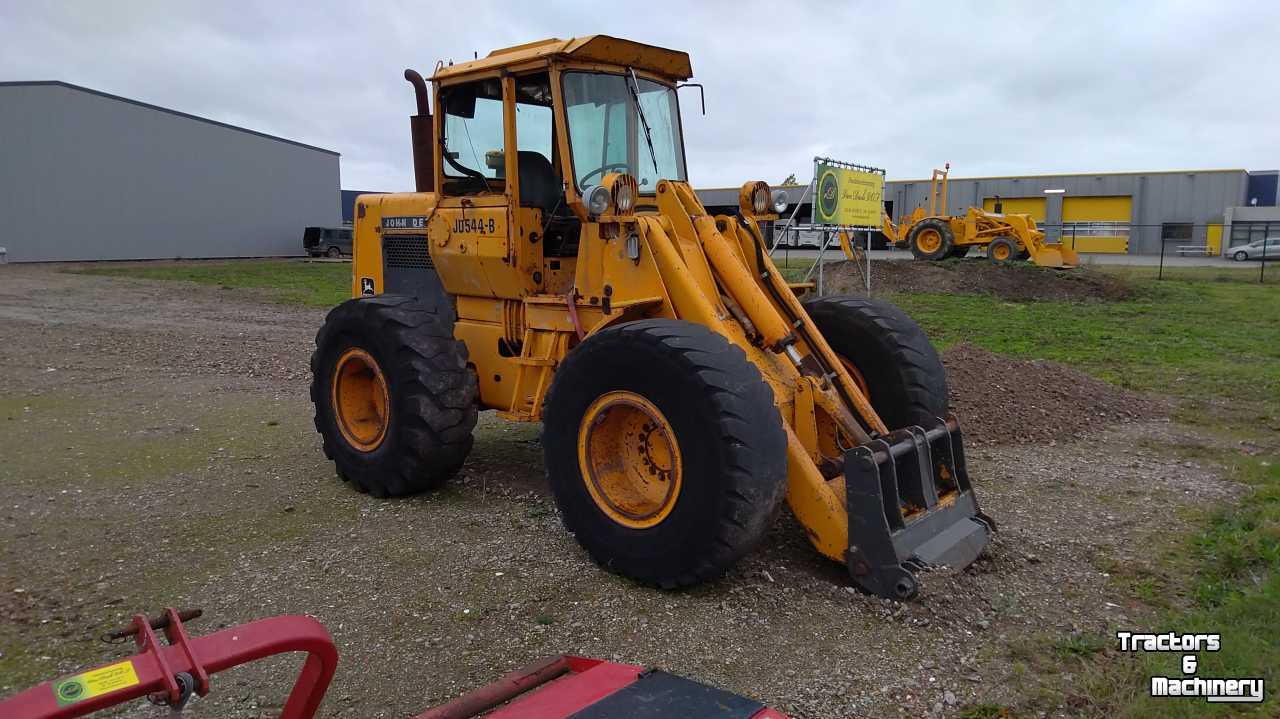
(556, 267)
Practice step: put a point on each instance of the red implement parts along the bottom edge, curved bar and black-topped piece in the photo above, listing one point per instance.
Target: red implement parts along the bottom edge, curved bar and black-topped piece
(564, 688)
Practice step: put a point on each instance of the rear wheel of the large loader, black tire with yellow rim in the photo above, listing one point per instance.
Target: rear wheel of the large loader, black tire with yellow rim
(429, 402)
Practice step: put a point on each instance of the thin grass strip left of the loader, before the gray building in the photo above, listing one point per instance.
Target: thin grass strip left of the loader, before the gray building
(318, 285)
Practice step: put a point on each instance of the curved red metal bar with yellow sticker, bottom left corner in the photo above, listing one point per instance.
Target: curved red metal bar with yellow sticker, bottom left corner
(157, 666)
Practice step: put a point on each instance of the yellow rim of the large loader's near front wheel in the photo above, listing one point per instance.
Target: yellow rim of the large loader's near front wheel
(630, 460)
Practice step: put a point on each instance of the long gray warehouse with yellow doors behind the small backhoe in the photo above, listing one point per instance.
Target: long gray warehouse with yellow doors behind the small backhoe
(1104, 213)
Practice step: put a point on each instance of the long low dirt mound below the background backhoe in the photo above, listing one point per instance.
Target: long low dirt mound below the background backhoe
(1017, 283)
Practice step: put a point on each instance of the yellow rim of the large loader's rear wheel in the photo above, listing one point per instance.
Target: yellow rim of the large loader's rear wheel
(360, 400)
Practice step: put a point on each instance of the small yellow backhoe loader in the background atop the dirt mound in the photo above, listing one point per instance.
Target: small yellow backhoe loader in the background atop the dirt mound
(1004, 237)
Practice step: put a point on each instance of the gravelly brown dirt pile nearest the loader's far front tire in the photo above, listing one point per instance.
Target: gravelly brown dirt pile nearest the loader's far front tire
(1005, 401)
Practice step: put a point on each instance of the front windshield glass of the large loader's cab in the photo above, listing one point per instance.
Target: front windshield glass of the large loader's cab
(607, 134)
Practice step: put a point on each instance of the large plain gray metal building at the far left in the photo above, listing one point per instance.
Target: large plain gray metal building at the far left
(90, 176)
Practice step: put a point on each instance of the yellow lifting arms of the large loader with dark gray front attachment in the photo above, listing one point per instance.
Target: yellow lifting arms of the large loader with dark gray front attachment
(843, 459)
